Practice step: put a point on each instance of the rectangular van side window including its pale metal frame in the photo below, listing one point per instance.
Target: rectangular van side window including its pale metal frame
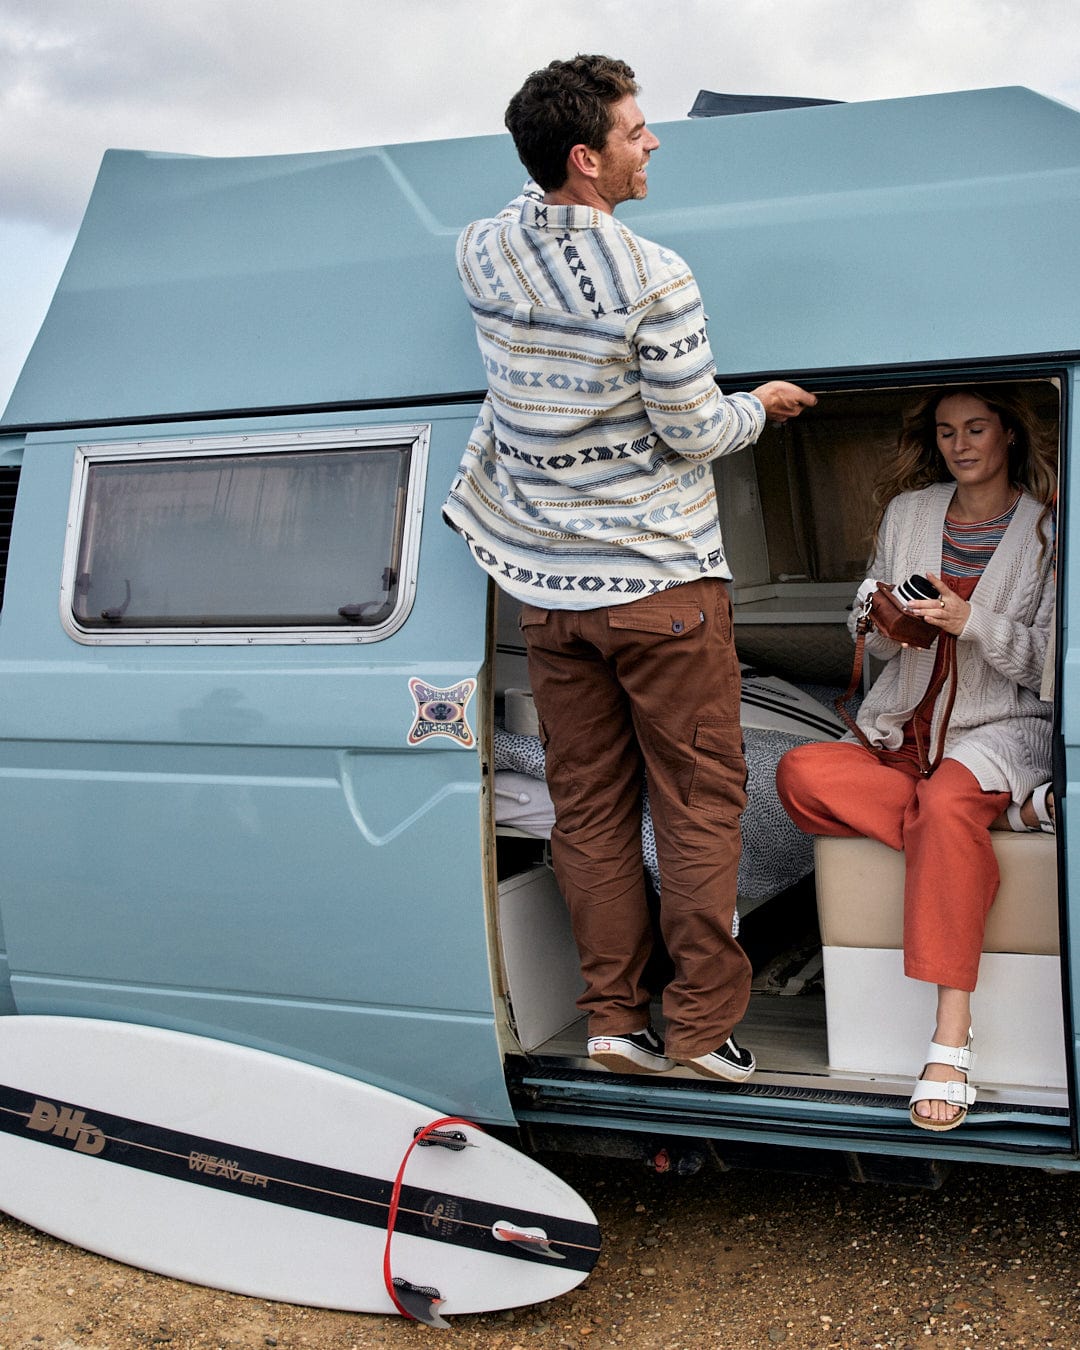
(295, 538)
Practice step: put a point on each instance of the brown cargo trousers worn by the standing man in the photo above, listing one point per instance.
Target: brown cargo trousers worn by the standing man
(653, 689)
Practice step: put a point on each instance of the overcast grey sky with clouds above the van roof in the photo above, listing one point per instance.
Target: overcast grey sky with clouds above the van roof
(241, 78)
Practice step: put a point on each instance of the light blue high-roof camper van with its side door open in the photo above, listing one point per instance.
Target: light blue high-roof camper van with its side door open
(269, 763)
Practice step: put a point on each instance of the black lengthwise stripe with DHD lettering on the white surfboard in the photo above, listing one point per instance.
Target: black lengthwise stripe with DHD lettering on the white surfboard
(438, 1216)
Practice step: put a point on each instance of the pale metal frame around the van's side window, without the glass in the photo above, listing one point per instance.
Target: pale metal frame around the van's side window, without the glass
(415, 435)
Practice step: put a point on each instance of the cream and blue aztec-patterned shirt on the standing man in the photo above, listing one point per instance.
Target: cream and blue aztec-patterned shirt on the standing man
(587, 480)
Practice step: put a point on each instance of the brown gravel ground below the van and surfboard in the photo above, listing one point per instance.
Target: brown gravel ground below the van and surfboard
(723, 1260)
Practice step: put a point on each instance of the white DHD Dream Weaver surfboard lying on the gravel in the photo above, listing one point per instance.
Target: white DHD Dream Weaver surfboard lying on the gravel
(257, 1174)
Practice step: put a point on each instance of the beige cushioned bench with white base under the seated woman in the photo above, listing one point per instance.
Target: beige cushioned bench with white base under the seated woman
(880, 1021)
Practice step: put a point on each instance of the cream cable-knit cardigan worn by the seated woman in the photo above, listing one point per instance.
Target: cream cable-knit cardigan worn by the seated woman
(1000, 728)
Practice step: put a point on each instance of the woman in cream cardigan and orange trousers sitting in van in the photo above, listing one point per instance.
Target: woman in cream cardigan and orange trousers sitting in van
(969, 506)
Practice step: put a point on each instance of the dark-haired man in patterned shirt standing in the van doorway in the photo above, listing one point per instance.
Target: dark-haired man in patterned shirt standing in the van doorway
(587, 495)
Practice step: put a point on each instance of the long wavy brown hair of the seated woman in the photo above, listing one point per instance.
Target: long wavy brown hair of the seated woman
(1032, 457)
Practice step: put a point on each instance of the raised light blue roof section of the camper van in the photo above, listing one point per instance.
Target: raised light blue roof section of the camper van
(871, 236)
